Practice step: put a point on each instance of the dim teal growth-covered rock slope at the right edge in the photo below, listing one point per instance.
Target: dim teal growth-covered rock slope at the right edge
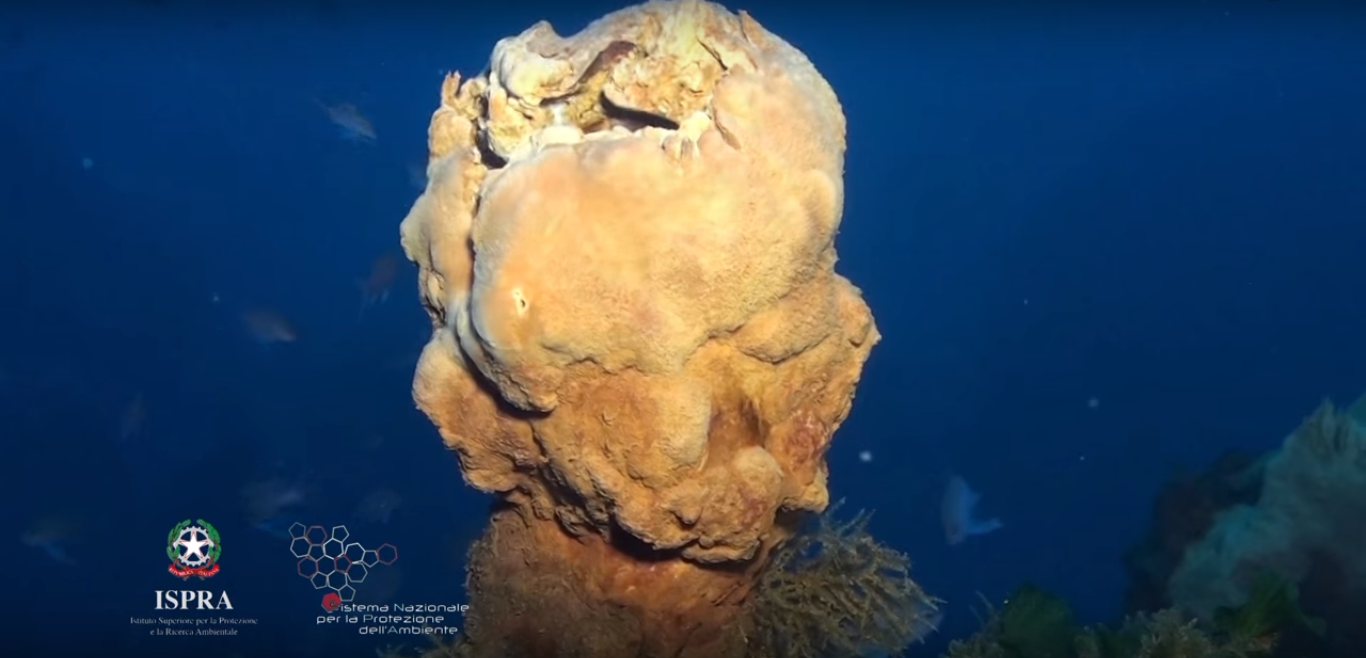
(1296, 514)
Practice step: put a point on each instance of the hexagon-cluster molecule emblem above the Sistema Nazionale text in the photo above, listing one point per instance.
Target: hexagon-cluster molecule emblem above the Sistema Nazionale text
(330, 560)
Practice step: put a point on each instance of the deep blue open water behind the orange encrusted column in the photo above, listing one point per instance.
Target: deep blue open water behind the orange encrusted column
(1100, 245)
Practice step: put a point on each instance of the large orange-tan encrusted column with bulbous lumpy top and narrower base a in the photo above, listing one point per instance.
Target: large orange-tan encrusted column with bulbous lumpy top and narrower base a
(640, 343)
